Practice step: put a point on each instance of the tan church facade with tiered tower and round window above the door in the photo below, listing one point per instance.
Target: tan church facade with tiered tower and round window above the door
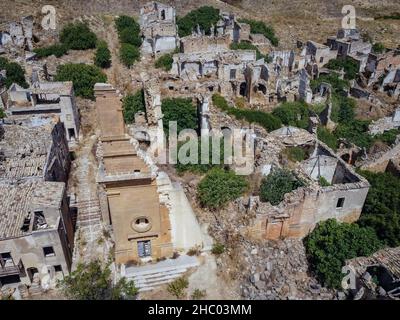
(140, 221)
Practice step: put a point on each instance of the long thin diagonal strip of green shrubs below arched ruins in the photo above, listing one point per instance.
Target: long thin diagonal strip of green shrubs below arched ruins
(264, 119)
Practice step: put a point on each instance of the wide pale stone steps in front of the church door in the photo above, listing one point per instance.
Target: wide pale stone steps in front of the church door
(149, 277)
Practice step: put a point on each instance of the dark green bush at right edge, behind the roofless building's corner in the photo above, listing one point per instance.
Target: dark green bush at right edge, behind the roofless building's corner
(381, 210)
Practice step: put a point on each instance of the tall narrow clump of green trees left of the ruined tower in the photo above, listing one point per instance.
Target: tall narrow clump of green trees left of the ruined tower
(129, 36)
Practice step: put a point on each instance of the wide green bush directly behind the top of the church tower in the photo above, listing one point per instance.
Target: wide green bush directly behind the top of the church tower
(83, 76)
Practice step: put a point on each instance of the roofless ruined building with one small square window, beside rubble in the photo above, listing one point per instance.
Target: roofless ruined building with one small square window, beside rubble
(343, 198)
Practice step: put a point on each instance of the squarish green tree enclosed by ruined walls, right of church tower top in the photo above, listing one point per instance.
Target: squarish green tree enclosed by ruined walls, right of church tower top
(180, 110)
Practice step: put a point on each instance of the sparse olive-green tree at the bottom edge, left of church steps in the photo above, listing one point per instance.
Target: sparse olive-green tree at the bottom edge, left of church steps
(90, 281)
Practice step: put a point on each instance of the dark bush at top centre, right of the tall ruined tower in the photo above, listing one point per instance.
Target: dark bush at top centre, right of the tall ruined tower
(204, 16)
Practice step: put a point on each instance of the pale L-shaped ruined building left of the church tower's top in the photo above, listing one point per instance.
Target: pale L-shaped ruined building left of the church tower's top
(47, 98)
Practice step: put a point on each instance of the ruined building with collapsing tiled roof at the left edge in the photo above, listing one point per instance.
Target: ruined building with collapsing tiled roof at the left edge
(36, 231)
